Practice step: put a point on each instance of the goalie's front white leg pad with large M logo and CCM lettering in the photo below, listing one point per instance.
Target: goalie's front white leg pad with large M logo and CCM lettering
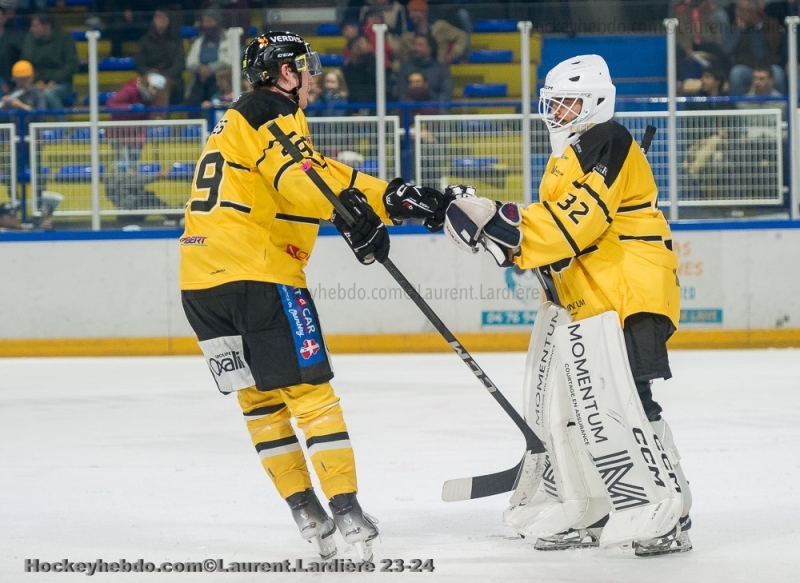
(624, 447)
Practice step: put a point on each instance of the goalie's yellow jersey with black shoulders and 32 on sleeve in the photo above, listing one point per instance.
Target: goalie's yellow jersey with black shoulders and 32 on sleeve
(598, 226)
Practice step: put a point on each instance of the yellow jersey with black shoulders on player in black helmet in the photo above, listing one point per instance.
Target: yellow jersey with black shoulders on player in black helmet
(254, 214)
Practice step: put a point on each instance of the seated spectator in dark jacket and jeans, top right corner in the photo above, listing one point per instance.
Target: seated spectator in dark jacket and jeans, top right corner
(754, 41)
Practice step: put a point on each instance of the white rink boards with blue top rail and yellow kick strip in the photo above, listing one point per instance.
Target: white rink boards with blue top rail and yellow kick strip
(115, 293)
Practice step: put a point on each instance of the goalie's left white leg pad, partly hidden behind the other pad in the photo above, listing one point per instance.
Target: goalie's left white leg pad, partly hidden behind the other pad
(568, 491)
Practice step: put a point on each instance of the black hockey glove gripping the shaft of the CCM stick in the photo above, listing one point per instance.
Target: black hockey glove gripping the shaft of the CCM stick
(367, 237)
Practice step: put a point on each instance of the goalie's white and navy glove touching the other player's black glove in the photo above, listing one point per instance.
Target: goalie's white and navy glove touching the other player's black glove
(470, 221)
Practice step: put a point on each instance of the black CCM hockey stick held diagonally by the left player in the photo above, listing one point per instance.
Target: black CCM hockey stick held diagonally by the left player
(532, 442)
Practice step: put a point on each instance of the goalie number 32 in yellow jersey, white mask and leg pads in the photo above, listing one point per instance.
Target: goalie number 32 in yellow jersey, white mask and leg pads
(611, 475)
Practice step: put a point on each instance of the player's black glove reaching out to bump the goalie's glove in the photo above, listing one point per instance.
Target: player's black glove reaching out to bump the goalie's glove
(408, 201)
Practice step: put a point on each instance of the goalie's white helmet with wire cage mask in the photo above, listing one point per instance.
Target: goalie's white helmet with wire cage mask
(577, 93)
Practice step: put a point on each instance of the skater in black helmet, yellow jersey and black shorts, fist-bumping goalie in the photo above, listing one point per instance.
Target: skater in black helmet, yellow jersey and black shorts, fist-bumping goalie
(251, 224)
